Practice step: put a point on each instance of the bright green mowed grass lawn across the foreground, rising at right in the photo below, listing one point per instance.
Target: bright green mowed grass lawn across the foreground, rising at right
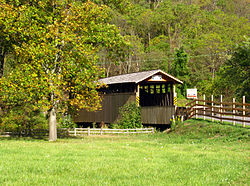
(198, 153)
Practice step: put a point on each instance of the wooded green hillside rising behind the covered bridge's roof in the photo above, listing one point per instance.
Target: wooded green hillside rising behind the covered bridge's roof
(205, 31)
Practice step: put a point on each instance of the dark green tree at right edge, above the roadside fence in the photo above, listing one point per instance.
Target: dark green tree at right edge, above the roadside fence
(234, 76)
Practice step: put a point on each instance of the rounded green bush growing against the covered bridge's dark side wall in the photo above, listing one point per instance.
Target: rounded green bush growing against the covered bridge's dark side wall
(130, 116)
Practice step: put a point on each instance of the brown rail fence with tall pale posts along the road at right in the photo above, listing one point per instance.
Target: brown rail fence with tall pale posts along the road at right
(219, 110)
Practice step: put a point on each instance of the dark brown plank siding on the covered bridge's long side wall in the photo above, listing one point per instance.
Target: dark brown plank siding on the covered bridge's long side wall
(110, 108)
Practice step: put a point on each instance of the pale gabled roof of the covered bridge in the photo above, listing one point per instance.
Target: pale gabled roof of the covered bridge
(135, 77)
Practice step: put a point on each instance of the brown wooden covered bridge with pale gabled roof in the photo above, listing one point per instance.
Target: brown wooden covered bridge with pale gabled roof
(153, 90)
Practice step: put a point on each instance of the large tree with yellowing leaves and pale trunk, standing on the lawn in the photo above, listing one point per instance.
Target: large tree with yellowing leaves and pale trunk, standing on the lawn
(57, 63)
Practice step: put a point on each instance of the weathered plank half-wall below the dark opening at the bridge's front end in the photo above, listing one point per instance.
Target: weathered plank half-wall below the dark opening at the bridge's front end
(157, 114)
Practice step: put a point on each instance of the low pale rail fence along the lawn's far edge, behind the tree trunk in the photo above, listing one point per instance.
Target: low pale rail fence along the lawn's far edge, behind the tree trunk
(80, 132)
